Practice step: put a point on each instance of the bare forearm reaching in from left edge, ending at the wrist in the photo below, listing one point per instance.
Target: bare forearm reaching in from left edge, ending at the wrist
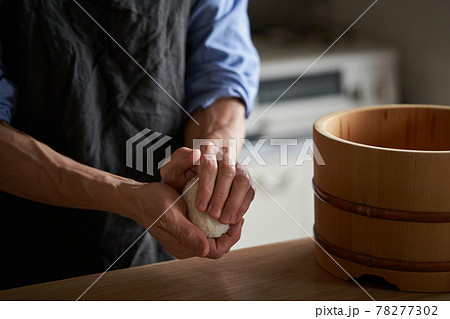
(32, 170)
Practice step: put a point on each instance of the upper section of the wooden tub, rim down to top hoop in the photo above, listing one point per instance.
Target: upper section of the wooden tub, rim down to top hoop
(383, 177)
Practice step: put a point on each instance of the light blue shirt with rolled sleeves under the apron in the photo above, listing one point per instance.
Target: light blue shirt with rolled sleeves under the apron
(221, 59)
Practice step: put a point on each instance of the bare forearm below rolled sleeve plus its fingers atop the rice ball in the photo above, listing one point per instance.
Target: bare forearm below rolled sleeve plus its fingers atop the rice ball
(225, 188)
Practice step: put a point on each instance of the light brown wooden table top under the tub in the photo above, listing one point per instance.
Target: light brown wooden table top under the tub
(282, 271)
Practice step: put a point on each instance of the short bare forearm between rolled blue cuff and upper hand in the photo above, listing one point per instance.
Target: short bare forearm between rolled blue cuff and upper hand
(224, 119)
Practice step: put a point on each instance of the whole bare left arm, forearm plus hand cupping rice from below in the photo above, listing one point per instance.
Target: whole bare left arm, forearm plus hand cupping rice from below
(48, 177)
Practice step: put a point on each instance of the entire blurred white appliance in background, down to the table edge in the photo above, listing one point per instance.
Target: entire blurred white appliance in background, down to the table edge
(347, 76)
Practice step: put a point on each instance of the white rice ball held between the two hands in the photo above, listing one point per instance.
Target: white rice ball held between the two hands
(210, 226)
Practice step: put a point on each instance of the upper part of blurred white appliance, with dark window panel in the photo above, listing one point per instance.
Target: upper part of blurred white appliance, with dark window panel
(348, 75)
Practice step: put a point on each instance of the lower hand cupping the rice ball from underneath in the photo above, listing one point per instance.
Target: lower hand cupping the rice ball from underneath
(173, 230)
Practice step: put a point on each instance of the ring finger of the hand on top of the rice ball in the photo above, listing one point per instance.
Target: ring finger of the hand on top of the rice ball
(239, 189)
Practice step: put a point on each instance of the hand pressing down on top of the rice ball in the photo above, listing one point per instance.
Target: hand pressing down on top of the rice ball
(225, 187)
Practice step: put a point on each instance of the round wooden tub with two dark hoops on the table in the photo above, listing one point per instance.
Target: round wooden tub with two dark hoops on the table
(382, 199)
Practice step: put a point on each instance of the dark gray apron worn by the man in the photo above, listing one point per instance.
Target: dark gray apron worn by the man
(81, 95)
